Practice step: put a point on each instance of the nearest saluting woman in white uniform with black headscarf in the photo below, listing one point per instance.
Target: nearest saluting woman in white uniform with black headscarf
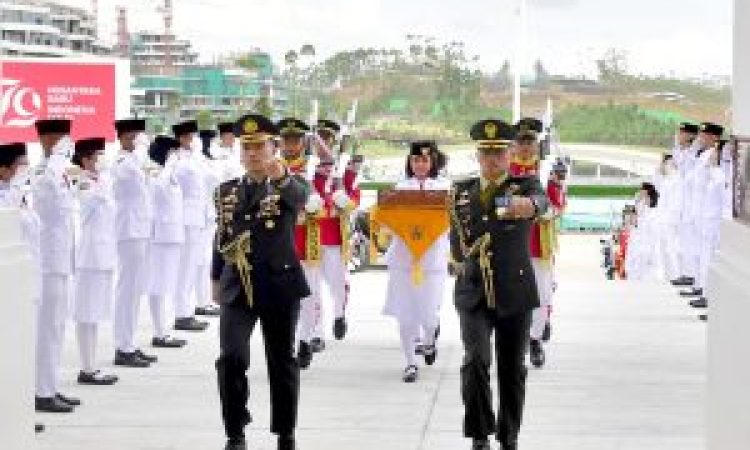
(167, 237)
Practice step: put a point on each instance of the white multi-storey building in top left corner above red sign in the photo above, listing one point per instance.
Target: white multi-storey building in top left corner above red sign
(47, 29)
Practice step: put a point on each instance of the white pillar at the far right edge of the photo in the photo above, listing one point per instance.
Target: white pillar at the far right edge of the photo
(728, 414)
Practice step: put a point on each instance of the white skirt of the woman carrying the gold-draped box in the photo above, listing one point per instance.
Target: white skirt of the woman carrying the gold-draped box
(408, 302)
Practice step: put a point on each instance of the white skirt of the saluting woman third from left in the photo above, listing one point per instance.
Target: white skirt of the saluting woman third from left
(94, 294)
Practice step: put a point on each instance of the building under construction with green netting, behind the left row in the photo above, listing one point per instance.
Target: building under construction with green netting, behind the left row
(166, 92)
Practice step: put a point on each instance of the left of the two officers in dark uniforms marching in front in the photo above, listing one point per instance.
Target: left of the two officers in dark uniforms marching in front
(257, 277)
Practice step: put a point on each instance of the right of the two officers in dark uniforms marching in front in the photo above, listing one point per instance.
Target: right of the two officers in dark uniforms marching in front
(495, 289)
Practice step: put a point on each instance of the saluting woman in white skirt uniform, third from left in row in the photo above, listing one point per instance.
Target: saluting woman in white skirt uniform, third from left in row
(96, 256)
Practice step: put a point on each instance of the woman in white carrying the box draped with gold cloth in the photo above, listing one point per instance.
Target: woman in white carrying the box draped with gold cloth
(416, 303)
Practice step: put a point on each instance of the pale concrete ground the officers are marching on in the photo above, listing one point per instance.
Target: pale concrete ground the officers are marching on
(626, 370)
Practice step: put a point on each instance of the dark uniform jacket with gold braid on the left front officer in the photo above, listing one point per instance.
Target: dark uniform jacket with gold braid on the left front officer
(277, 276)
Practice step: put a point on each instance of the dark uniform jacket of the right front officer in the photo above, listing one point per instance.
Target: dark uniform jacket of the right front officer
(515, 288)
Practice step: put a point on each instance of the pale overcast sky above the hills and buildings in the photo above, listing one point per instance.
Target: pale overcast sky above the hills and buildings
(685, 37)
